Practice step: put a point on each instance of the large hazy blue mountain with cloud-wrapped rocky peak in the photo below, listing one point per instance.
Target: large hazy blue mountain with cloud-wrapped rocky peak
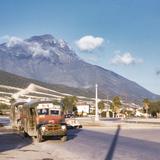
(52, 61)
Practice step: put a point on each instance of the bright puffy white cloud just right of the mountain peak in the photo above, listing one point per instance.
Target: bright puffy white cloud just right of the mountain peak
(89, 43)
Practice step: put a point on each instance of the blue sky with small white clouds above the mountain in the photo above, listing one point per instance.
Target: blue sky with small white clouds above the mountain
(119, 35)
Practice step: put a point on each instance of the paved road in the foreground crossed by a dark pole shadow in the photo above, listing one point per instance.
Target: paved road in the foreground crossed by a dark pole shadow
(97, 143)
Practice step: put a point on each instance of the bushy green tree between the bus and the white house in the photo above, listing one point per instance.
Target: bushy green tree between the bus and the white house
(69, 103)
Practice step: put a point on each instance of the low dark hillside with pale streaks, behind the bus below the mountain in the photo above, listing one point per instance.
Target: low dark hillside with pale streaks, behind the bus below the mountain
(10, 84)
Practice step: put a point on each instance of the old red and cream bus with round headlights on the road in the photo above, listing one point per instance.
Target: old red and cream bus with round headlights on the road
(40, 119)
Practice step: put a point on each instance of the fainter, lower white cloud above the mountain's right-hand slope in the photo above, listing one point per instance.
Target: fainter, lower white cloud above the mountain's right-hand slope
(125, 59)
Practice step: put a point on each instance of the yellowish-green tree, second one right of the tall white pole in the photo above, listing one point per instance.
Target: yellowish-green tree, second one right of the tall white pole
(115, 105)
